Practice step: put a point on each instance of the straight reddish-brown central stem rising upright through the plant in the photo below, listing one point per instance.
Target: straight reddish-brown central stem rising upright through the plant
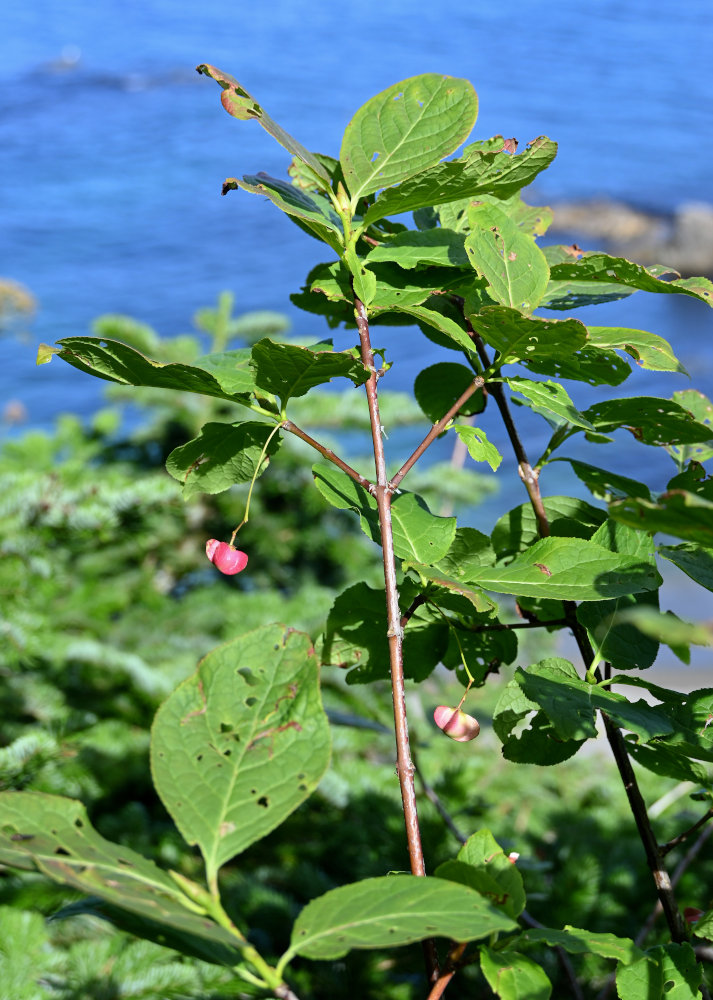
(404, 765)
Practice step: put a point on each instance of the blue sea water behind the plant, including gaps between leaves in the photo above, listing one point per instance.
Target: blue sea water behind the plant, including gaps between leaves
(113, 151)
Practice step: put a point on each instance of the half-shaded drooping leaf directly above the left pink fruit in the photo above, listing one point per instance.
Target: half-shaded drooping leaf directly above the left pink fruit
(221, 455)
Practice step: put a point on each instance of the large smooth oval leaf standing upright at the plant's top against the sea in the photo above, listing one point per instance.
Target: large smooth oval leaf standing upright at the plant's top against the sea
(405, 129)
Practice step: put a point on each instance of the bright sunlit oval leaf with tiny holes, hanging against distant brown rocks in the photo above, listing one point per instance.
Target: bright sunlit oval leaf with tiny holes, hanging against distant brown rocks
(509, 259)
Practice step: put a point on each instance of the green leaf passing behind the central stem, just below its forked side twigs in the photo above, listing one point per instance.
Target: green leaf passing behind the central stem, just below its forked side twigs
(418, 534)
